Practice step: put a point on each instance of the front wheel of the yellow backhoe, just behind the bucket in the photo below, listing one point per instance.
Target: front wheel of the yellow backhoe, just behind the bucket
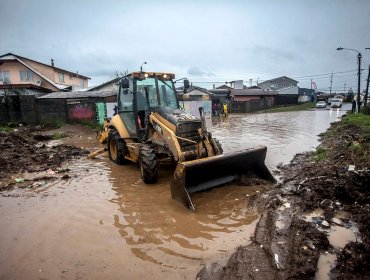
(148, 164)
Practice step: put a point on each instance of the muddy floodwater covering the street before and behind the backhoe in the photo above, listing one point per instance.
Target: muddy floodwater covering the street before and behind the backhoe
(105, 223)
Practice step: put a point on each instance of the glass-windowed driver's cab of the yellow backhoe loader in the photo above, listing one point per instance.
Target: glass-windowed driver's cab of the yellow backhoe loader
(139, 95)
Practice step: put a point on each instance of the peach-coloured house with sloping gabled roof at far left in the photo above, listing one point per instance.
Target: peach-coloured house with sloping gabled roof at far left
(27, 76)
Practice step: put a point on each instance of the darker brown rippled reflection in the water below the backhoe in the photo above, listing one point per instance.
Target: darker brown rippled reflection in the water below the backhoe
(157, 228)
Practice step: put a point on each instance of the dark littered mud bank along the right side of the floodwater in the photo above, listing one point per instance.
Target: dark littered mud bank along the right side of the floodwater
(287, 244)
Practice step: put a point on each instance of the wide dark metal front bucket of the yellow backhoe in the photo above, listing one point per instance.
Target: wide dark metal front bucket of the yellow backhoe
(202, 174)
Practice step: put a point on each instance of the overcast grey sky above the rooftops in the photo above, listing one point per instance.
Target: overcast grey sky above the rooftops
(205, 41)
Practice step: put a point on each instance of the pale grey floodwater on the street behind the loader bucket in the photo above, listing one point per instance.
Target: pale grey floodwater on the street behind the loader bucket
(285, 134)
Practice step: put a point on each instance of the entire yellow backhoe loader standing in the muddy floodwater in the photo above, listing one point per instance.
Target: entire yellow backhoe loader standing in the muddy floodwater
(149, 128)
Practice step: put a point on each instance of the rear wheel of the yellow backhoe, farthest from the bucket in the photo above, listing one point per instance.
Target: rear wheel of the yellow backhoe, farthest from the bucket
(116, 148)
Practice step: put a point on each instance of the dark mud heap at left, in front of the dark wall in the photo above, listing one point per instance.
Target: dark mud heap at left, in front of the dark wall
(26, 150)
